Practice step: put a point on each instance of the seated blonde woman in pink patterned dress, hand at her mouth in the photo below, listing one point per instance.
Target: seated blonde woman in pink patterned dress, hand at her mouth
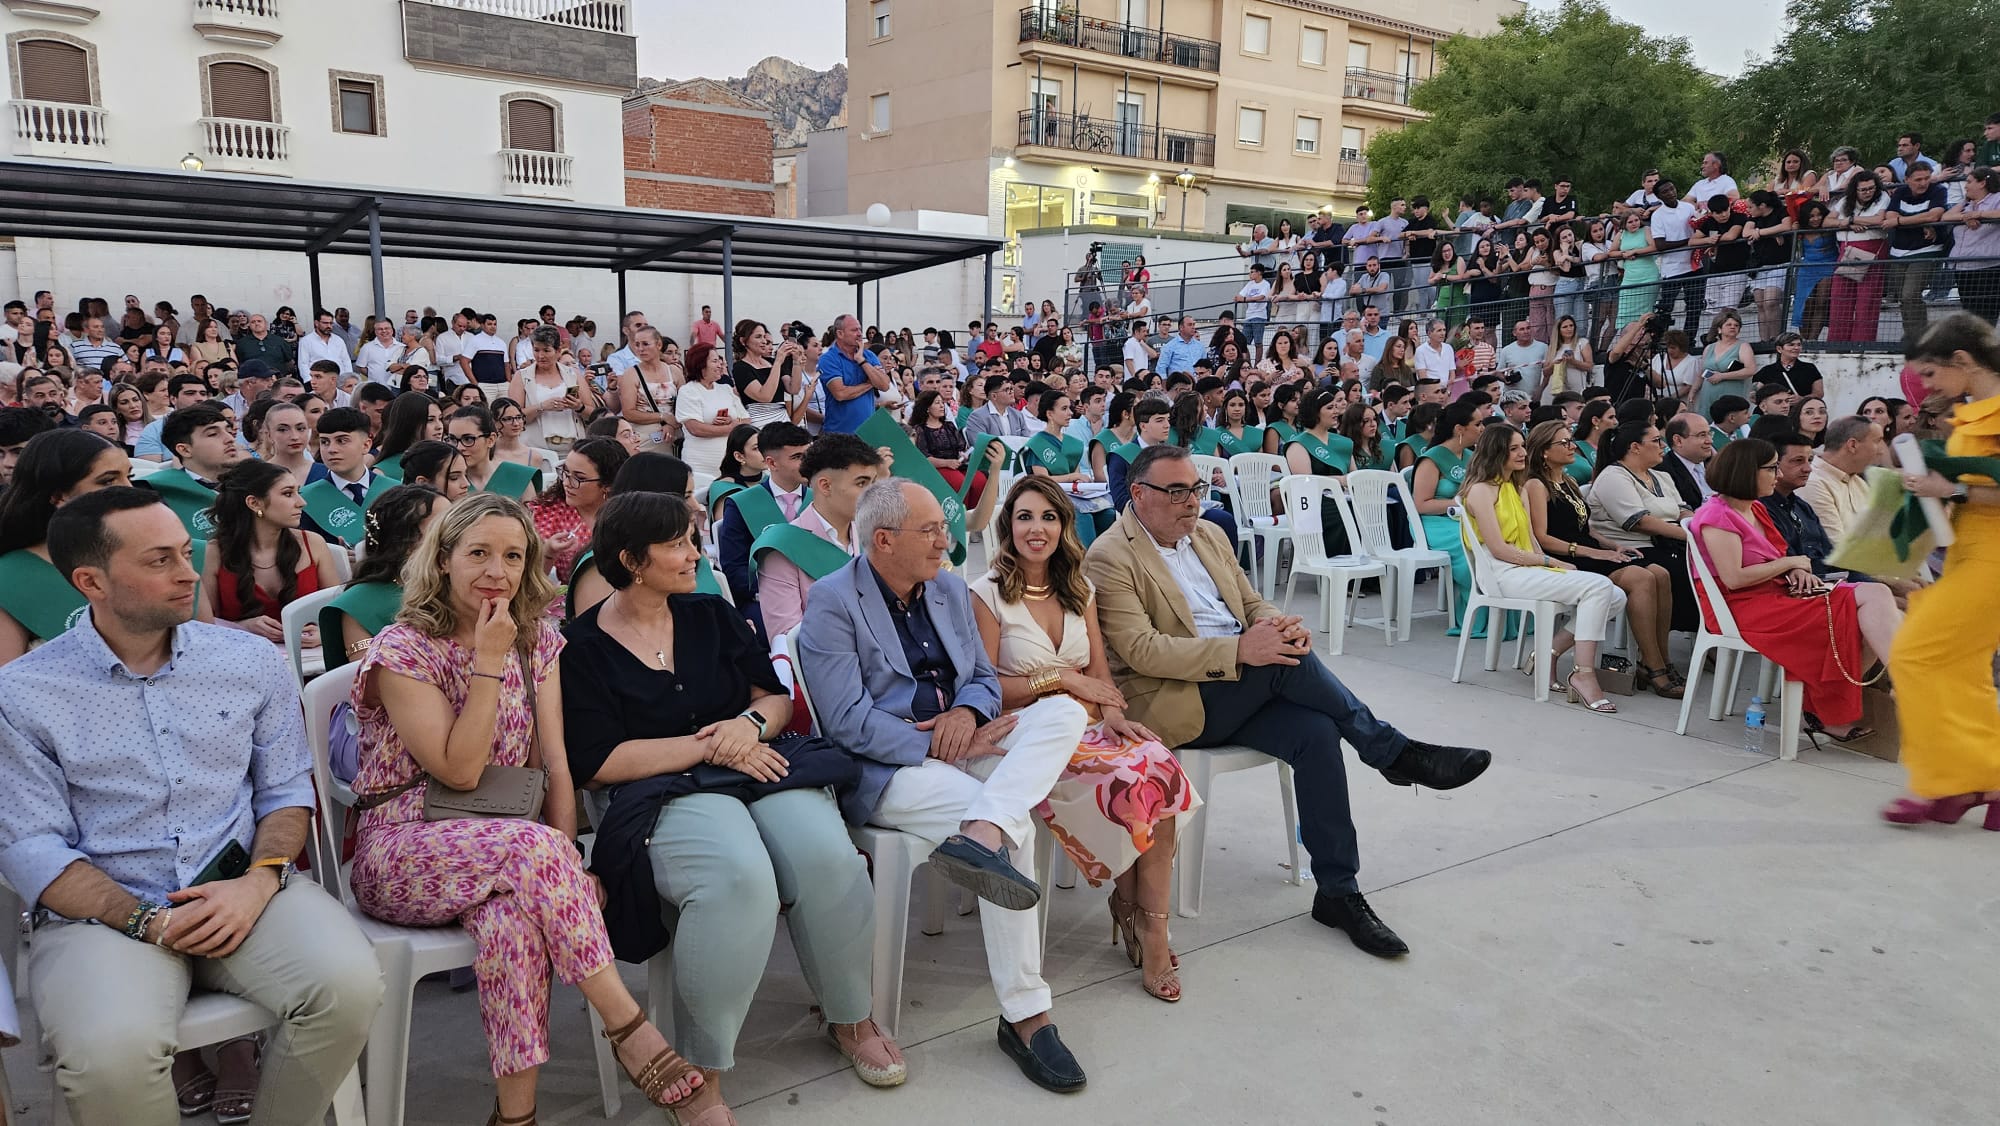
(457, 685)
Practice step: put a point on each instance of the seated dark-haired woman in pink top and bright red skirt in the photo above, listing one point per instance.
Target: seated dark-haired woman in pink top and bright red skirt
(1785, 611)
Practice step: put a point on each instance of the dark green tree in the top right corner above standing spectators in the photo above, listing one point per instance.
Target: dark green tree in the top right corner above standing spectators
(1861, 73)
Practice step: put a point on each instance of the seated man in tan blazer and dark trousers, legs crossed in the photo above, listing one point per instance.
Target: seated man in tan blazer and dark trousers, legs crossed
(1203, 661)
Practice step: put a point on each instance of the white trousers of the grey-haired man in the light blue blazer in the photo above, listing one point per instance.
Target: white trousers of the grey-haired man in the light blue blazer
(933, 799)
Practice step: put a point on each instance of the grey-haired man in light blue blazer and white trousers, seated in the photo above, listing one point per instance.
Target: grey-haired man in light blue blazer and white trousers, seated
(899, 677)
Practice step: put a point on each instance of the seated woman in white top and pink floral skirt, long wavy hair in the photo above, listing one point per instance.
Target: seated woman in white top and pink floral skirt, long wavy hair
(1115, 807)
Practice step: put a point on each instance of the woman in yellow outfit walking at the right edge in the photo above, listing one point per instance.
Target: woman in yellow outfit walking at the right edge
(1943, 655)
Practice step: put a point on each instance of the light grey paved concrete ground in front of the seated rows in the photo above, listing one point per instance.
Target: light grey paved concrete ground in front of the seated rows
(1615, 925)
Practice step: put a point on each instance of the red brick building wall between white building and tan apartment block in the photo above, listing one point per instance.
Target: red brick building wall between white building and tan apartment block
(697, 143)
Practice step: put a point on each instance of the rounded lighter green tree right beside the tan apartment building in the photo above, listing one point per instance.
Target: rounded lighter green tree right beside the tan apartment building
(1569, 93)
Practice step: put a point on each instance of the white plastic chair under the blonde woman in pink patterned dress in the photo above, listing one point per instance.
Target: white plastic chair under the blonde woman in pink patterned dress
(405, 953)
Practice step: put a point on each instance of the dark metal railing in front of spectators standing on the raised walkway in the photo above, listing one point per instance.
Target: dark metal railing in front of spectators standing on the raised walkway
(1855, 307)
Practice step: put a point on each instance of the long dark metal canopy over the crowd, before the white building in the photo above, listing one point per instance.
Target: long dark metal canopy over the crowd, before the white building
(253, 213)
